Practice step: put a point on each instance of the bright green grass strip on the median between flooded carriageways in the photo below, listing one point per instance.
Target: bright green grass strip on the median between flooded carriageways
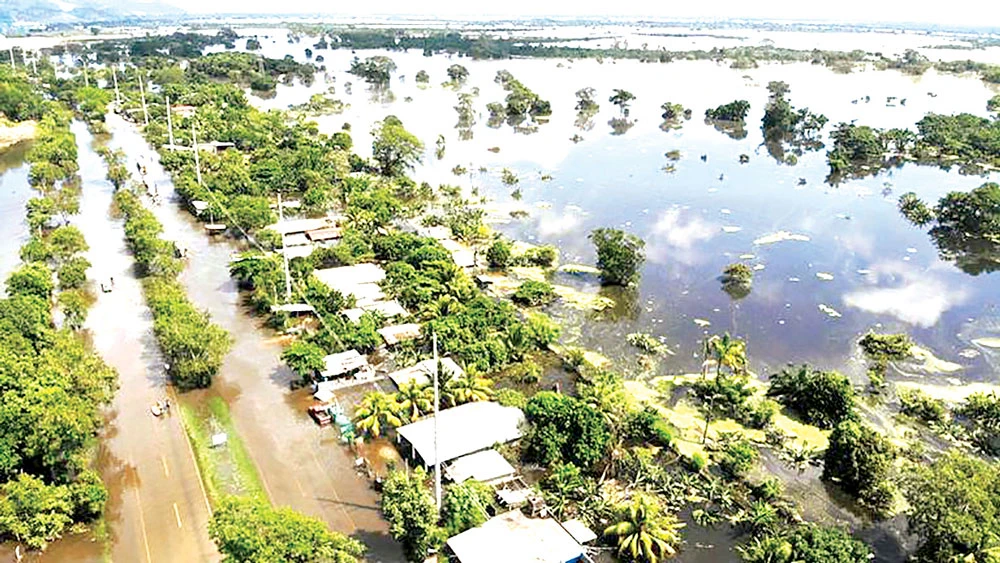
(225, 470)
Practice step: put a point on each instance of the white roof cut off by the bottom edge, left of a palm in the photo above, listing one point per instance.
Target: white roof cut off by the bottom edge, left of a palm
(512, 536)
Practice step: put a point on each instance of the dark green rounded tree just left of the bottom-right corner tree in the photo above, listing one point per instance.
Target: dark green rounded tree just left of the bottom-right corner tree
(859, 459)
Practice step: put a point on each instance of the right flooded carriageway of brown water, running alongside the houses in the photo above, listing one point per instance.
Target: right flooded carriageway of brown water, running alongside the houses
(301, 465)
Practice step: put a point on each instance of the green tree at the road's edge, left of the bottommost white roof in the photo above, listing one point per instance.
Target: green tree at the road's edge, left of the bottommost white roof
(409, 508)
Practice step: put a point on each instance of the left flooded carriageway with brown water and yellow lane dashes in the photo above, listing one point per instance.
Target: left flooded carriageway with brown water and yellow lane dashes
(157, 510)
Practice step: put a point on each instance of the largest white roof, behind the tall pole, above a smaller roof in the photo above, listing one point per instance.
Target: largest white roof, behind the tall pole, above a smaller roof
(464, 430)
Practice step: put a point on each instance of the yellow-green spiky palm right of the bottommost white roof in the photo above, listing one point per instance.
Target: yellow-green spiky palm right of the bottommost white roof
(646, 534)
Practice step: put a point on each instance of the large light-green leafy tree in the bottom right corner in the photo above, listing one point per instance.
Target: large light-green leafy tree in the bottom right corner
(955, 509)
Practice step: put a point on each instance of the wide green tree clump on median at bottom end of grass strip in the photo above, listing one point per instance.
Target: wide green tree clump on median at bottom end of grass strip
(249, 530)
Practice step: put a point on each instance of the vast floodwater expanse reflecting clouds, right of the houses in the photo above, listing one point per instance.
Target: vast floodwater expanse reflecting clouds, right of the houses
(831, 261)
